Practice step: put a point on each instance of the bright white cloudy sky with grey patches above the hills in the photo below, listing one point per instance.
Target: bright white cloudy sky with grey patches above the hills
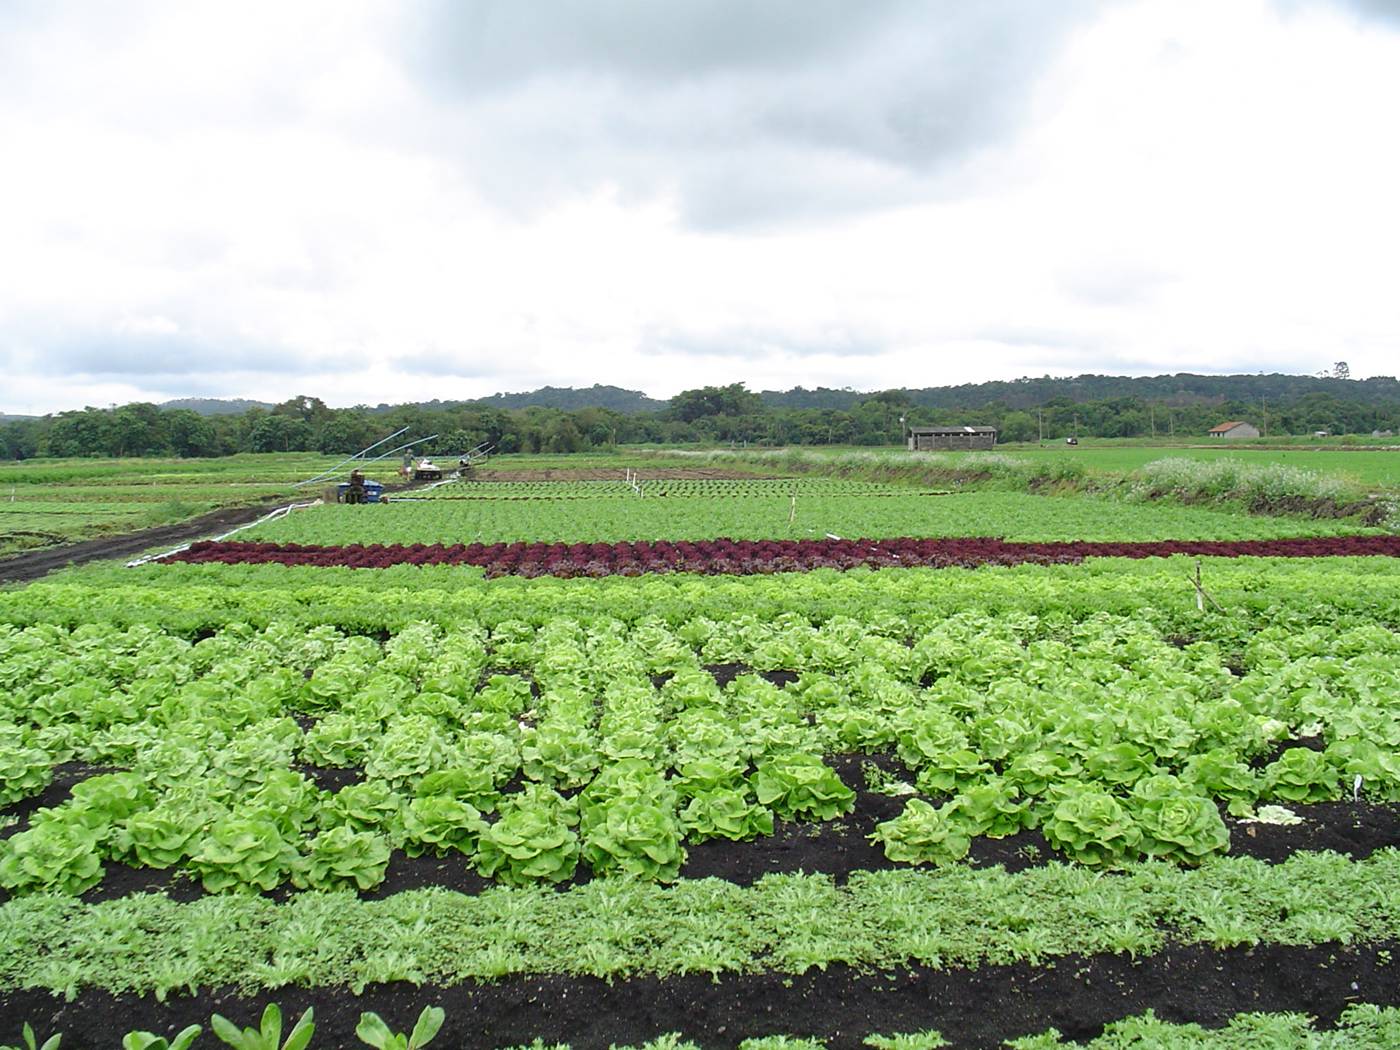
(394, 201)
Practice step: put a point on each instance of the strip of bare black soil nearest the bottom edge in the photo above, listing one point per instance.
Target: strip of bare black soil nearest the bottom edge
(972, 1009)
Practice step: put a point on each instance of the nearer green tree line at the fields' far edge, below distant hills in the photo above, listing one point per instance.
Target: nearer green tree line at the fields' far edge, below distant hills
(709, 415)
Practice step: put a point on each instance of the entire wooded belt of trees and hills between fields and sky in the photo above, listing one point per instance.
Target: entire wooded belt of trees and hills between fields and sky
(1168, 407)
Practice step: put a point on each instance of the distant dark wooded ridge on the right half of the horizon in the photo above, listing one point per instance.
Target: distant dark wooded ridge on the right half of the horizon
(1184, 388)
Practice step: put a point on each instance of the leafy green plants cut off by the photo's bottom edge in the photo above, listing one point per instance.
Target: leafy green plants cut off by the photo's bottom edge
(1361, 1027)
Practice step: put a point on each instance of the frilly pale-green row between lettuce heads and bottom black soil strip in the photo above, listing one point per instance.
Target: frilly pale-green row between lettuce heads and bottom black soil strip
(953, 918)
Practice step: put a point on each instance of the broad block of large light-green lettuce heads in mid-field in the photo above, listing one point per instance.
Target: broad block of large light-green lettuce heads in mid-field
(528, 751)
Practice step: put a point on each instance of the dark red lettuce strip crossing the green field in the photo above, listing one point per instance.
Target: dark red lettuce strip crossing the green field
(743, 558)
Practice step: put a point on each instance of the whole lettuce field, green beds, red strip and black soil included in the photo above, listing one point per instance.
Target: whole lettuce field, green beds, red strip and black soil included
(573, 765)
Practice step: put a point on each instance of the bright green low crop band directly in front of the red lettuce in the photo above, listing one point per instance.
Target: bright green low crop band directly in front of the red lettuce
(1249, 593)
